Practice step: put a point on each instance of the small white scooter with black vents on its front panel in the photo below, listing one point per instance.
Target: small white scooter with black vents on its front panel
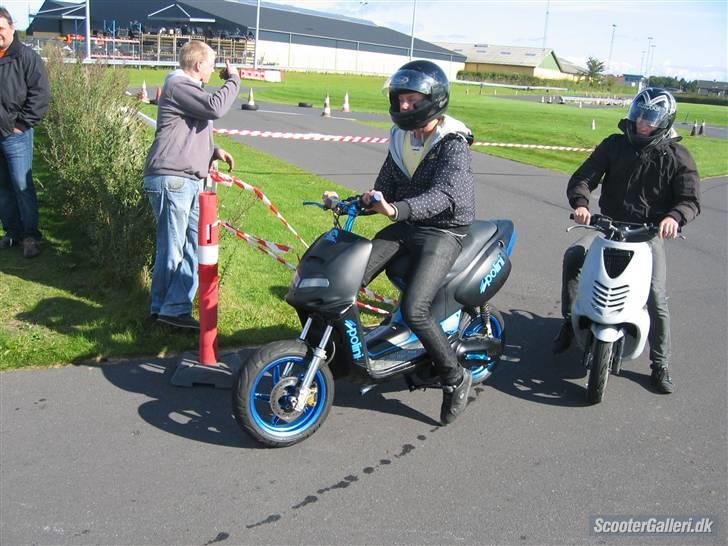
(609, 314)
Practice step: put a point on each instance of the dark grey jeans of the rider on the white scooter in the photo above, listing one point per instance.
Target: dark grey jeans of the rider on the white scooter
(659, 335)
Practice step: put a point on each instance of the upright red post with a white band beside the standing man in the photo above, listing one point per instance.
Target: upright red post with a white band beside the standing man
(207, 256)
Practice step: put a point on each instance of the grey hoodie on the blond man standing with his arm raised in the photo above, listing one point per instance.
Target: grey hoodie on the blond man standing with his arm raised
(183, 141)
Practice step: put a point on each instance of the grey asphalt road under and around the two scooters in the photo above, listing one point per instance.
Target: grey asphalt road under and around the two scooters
(115, 455)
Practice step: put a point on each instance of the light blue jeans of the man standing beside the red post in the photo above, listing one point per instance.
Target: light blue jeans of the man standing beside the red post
(176, 207)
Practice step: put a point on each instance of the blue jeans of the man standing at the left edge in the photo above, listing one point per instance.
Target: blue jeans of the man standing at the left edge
(18, 201)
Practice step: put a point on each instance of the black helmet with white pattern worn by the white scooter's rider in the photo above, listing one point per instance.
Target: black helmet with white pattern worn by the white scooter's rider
(657, 108)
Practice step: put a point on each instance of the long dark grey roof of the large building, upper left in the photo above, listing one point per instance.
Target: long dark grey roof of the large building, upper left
(277, 21)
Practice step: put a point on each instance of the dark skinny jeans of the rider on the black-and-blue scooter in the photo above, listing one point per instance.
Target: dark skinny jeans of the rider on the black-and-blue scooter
(433, 252)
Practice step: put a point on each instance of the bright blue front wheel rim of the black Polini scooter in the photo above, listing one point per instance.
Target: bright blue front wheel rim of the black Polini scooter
(260, 408)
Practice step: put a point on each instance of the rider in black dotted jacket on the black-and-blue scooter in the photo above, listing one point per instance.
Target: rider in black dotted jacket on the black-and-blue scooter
(426, 188)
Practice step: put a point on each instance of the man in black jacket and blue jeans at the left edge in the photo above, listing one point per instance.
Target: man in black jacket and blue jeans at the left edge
(24, 98)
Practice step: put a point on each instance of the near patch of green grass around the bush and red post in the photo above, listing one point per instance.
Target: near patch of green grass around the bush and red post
(53, 312)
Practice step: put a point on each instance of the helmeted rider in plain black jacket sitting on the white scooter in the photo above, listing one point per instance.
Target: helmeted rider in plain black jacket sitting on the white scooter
(646, 177)
